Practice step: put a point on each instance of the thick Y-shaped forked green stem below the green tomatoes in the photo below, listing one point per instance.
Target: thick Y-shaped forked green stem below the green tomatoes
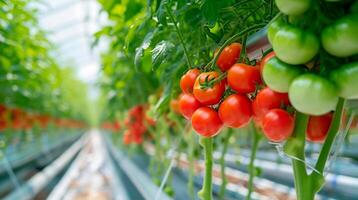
(308, 185)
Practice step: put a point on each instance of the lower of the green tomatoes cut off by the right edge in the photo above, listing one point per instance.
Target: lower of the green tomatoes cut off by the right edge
(346, 79)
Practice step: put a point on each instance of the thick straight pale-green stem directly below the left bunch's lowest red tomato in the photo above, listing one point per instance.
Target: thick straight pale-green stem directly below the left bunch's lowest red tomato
(206, 192)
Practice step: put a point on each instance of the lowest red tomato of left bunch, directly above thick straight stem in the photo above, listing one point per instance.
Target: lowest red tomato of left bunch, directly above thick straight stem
(206, 122)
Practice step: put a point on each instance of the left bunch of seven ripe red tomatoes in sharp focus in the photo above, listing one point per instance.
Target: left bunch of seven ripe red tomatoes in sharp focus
(212, 100)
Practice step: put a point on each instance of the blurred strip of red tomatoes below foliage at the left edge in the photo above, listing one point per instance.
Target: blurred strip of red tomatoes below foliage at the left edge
(18, 119)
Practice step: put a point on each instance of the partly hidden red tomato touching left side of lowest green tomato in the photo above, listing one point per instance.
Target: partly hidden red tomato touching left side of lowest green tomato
(266, 100)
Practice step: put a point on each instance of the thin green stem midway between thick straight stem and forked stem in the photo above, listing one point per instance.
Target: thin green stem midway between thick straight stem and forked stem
(252, 170)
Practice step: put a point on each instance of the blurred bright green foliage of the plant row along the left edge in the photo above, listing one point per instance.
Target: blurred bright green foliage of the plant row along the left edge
(30, 76)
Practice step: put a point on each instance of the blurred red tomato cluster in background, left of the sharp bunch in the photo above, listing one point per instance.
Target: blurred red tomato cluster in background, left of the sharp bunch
(137, 123)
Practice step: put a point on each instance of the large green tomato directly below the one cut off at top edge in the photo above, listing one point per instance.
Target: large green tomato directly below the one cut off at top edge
(294, 45)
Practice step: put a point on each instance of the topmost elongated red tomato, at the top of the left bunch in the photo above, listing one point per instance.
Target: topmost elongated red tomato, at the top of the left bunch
(229, 56)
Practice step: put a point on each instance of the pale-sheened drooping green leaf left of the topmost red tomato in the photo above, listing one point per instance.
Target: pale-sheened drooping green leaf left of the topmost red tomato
(160, 53)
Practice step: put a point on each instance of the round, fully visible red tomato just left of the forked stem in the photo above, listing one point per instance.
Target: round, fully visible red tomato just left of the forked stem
(278, 125)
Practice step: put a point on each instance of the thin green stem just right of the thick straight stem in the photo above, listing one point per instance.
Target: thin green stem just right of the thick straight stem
(222, 164)
